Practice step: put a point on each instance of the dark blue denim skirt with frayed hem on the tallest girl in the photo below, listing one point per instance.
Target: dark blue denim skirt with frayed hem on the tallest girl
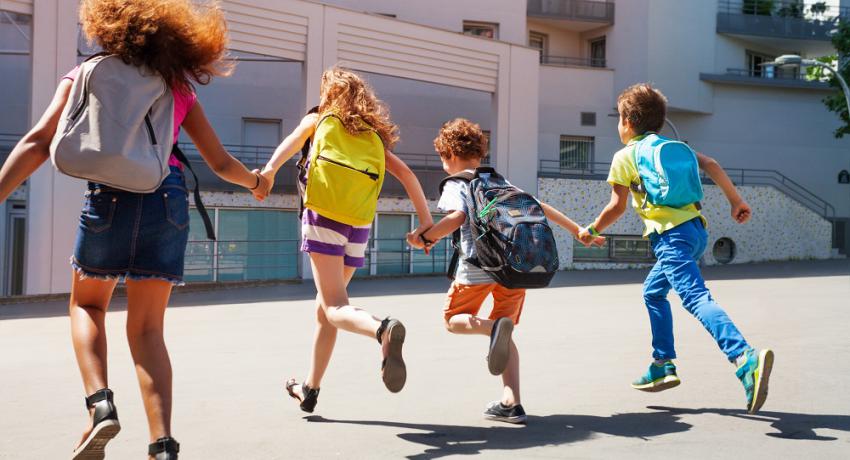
(124, 235)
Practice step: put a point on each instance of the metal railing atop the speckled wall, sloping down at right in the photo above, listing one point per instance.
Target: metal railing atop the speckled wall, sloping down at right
(739, 176)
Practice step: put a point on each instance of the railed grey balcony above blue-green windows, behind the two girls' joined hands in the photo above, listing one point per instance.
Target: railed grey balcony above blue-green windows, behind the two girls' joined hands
(428, 169)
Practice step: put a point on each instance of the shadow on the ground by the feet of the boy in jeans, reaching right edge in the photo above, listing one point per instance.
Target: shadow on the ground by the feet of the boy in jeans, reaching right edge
(790, 426)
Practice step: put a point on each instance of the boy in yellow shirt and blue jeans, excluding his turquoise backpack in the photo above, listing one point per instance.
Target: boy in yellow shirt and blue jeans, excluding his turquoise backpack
(678, 239)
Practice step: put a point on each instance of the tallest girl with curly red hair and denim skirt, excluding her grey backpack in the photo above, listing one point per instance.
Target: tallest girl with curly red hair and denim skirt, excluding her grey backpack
(138, 238)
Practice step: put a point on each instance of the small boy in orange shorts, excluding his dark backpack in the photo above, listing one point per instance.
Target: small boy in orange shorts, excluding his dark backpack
(462, 146)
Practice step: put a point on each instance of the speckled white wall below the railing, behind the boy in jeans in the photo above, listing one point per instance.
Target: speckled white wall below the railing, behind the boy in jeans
(780, 229)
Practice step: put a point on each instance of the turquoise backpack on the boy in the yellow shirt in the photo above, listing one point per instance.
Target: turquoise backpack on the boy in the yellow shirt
(668, 170)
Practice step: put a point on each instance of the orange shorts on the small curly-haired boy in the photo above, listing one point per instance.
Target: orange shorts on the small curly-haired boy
(468, 299)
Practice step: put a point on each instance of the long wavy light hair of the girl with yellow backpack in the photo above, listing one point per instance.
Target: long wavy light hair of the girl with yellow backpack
(352, 99)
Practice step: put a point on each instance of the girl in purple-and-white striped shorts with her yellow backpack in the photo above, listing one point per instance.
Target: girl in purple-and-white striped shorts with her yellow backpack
(352, 137)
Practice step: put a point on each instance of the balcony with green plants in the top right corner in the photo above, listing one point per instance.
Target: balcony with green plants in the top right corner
(776, 20)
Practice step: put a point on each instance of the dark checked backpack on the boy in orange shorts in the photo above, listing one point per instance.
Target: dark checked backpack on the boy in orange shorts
(513, 240)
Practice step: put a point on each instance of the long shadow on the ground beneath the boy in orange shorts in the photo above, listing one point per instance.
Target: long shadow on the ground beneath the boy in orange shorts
(550, 430)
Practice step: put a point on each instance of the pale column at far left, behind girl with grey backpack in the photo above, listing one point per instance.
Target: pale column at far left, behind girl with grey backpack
(54, 200)
